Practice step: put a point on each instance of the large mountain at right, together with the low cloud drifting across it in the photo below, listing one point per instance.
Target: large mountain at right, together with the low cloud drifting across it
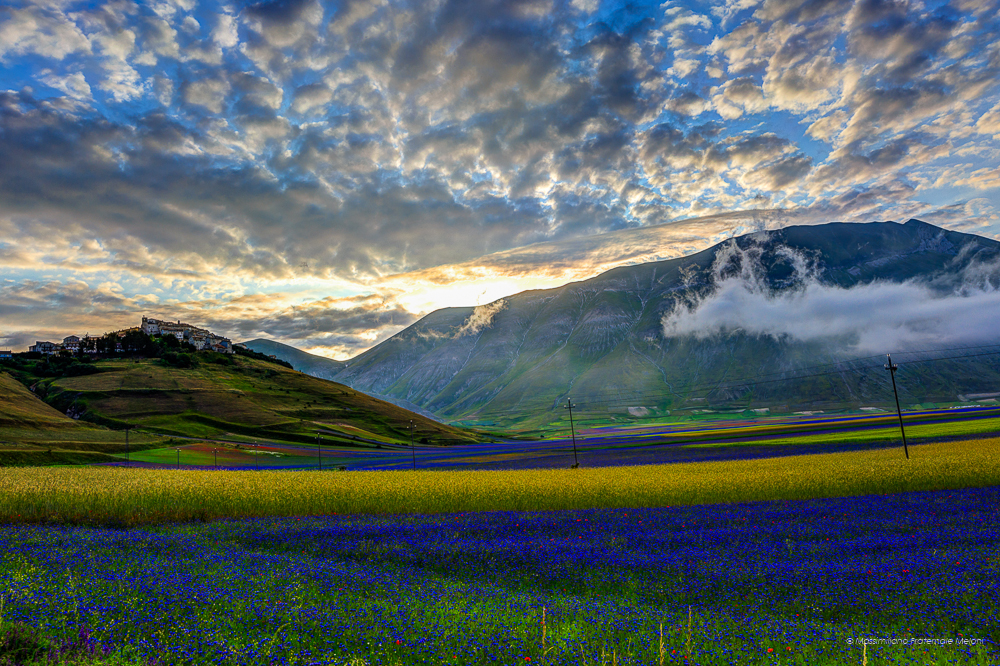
(638, 340)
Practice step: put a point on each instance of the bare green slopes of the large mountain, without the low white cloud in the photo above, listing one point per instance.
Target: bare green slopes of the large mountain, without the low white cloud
(601, 340)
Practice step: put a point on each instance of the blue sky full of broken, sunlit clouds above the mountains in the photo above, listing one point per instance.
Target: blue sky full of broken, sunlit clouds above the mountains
(325, 173)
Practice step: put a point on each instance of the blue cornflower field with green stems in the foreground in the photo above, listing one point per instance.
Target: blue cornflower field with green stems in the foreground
(791, 582)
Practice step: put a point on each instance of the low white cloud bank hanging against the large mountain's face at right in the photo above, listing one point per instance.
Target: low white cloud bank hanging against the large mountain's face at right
(876, 317)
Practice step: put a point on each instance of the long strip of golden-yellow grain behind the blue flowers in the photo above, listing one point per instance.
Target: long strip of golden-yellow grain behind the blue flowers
(139, 496)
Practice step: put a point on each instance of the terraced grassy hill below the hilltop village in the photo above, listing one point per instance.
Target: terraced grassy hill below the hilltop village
(235, 398)
